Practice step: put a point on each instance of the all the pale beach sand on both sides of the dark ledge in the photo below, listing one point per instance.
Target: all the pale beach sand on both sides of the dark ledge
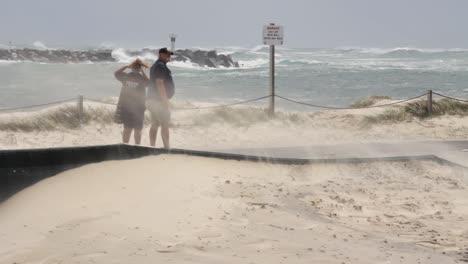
(180, 209)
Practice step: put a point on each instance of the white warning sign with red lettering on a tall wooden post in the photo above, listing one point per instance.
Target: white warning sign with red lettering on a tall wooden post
(272, 35)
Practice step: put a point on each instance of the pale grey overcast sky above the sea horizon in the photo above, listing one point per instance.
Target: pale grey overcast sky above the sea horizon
(210, 23)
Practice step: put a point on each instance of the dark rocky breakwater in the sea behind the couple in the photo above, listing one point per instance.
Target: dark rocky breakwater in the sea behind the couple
(199, 57)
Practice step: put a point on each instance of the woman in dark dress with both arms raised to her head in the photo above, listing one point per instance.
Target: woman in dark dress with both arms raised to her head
(131, 106)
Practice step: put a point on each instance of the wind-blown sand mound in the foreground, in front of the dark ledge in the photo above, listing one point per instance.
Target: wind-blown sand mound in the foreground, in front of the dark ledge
(182, 209)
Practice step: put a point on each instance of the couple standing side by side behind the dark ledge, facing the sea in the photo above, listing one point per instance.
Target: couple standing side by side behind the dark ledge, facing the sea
(131, 105)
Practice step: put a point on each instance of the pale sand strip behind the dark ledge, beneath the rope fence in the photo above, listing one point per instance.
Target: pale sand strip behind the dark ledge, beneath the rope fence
(236, 127)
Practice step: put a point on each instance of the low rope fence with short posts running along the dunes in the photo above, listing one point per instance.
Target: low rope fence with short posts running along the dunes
(81, 100)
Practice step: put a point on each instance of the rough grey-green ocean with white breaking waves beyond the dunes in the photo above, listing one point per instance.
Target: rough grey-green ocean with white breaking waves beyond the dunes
(328, 77)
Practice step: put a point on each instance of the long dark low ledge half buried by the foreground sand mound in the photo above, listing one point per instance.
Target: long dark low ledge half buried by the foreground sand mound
(22, 168)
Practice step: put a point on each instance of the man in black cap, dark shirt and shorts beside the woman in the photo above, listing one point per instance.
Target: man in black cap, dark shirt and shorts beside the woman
(159, 93)
